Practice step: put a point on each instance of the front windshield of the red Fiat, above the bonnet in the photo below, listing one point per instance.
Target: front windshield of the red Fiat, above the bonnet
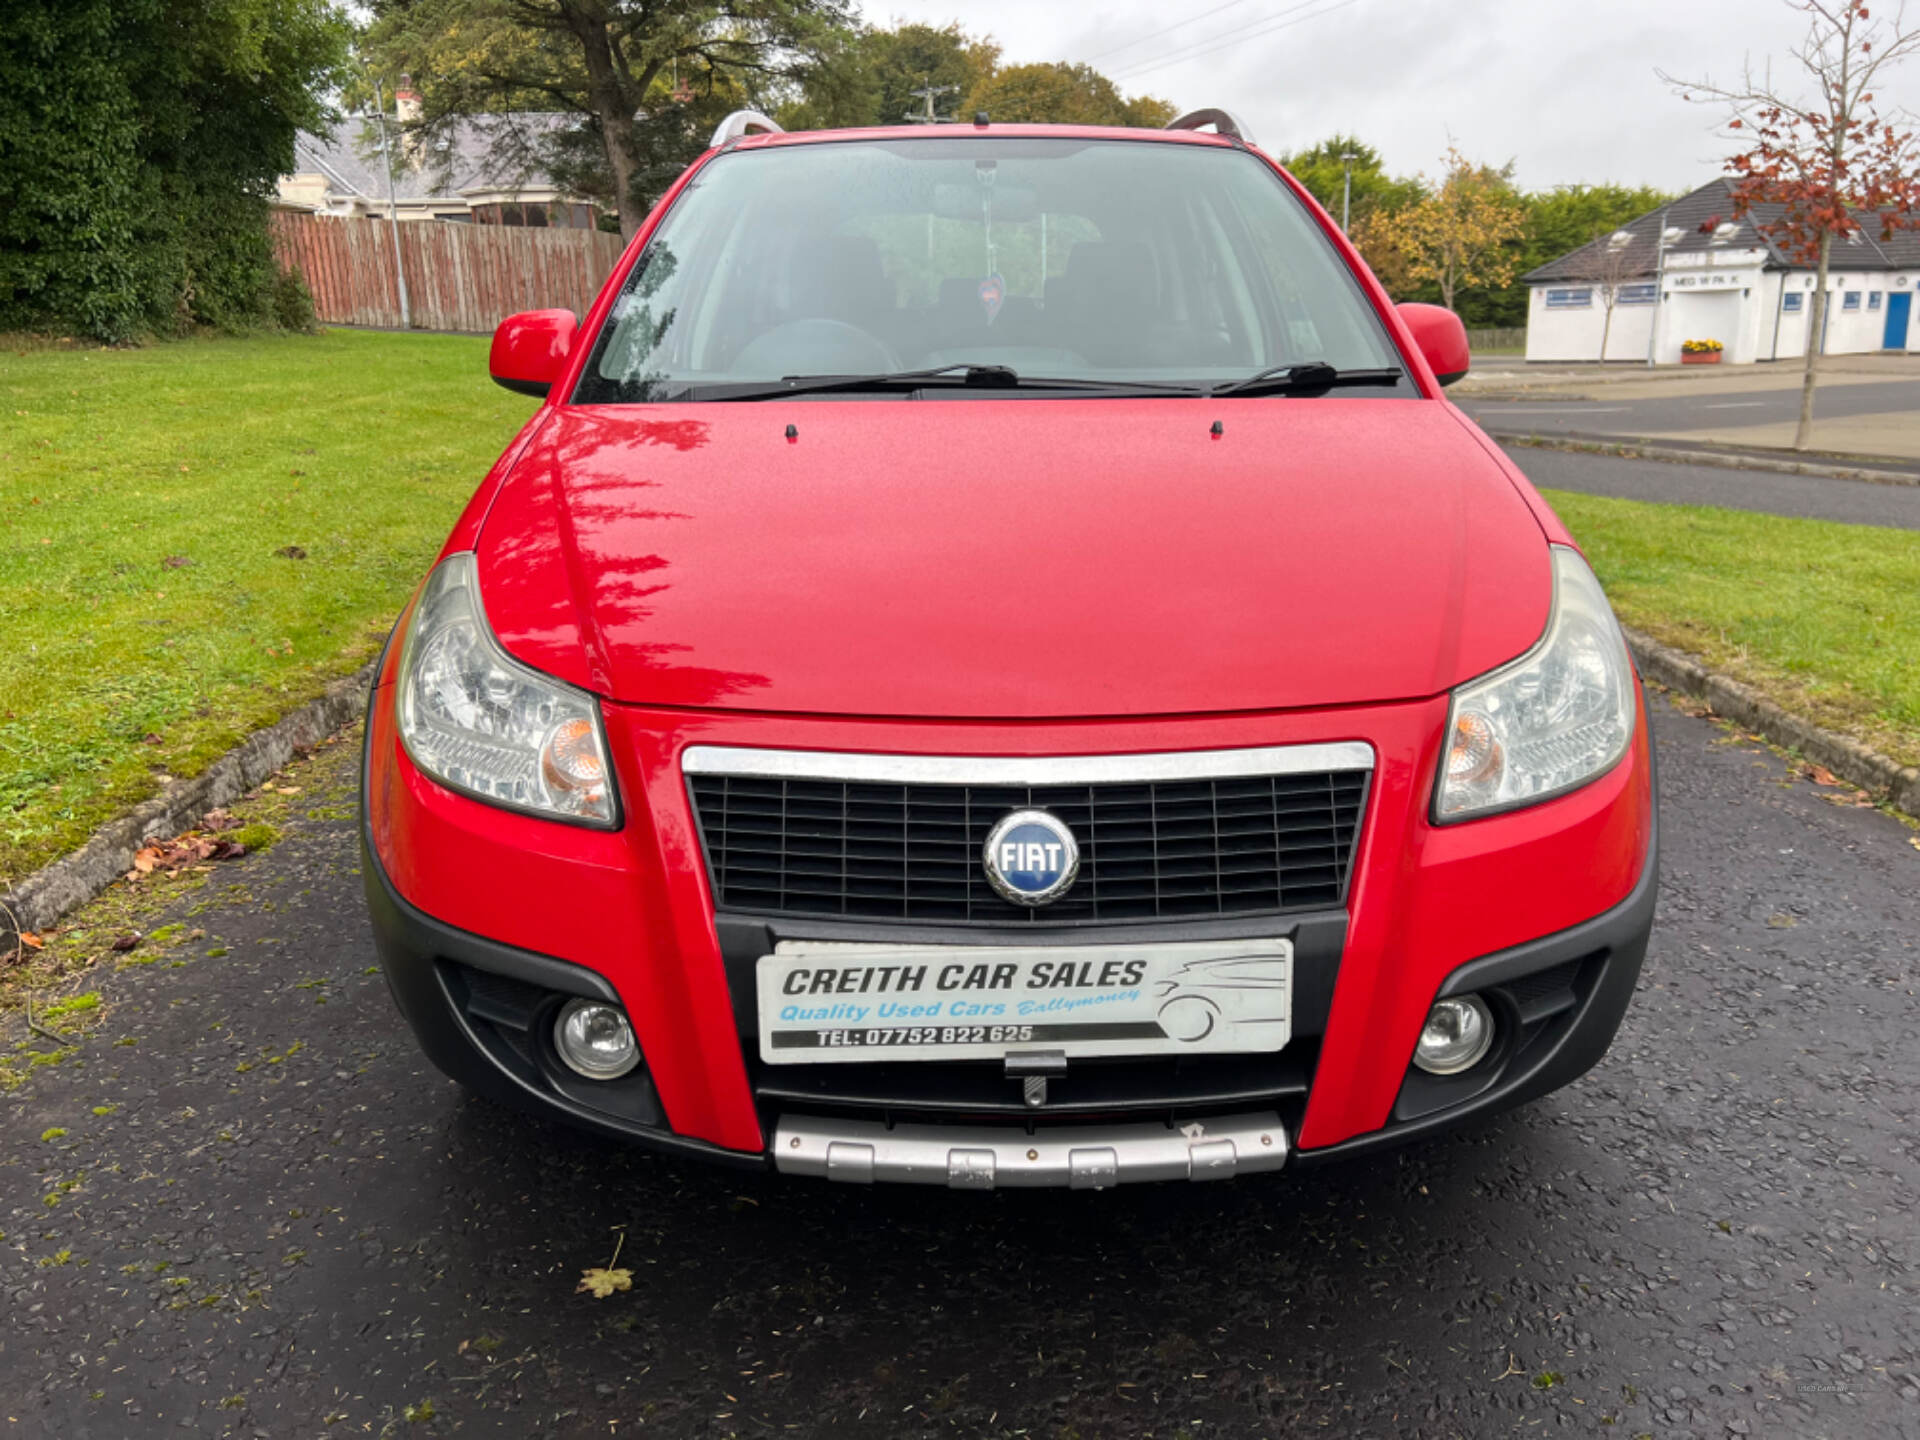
(1113, 262)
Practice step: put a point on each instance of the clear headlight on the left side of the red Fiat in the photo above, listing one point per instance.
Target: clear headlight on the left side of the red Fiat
(481, 723)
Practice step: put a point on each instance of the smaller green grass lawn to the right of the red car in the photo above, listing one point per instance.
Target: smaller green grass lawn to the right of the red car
(1821, 617)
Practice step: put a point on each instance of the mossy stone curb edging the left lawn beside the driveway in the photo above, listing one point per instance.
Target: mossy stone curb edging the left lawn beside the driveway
(57, 888)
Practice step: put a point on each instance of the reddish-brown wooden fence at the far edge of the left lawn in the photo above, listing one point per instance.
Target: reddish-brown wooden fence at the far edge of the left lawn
(460, 277)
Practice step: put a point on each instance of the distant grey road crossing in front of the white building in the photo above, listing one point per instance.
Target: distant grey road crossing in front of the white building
(1620, 416)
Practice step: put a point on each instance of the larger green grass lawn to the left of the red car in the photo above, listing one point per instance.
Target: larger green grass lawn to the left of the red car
(147, 613)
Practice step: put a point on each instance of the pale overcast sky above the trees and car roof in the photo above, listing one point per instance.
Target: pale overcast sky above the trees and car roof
(1566, 89)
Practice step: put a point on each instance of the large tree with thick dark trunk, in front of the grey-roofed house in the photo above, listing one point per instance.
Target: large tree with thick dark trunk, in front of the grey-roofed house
(613, 66)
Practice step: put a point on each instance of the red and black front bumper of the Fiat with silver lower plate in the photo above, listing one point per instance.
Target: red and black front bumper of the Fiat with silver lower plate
(1547, 911)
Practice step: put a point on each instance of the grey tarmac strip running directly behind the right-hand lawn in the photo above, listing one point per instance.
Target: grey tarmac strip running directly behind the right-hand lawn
(1852, 502)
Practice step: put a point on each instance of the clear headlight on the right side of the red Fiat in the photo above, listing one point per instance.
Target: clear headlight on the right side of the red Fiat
(1558, 717)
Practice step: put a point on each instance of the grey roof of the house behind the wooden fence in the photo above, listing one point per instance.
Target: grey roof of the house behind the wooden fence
(491, 153)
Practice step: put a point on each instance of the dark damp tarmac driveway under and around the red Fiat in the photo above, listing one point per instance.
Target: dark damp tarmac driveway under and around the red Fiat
(291, 1226)
